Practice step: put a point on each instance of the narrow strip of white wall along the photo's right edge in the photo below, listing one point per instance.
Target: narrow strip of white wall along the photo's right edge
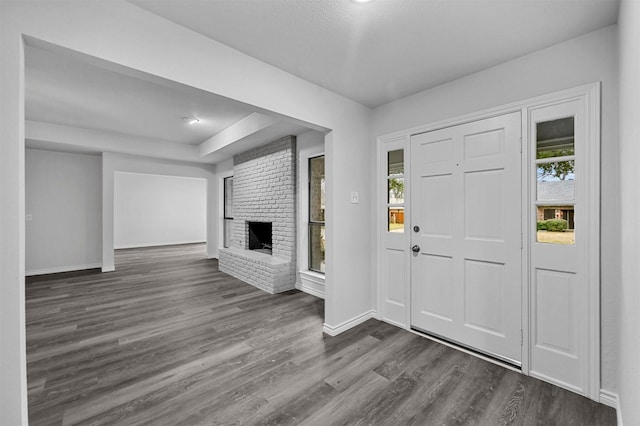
(629, 344)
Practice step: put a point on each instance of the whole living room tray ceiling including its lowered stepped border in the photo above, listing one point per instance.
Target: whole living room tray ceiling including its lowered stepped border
(116, 104)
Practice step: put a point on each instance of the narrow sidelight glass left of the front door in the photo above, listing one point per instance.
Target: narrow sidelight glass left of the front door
(395, 191)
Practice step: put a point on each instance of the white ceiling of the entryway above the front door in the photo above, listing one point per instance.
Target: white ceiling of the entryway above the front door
(384, 50)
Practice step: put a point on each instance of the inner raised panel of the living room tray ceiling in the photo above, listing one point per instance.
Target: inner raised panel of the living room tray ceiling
(68, 91)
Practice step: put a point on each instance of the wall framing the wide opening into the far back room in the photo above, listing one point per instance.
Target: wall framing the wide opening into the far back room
(114, 163)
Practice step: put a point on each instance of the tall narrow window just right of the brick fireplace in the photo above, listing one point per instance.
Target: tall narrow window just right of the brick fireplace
(316, 214)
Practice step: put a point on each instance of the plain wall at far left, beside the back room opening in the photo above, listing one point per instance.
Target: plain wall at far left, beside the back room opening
(63, 197)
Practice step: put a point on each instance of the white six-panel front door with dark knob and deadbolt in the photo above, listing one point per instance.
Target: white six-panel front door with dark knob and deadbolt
(466, 225)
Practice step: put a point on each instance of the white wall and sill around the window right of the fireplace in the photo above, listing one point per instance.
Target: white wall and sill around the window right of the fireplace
(310, 144)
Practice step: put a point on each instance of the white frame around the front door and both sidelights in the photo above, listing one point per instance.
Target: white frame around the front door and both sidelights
(590, 95)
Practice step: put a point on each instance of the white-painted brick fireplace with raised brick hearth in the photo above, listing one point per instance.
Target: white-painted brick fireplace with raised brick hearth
(264, 198)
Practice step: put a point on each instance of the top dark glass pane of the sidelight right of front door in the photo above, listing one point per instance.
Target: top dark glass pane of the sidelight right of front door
(555, 138)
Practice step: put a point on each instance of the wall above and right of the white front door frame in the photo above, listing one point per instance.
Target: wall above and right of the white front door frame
(583, 60)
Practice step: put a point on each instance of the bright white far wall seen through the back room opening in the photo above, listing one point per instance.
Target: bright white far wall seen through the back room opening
(154, 210)
